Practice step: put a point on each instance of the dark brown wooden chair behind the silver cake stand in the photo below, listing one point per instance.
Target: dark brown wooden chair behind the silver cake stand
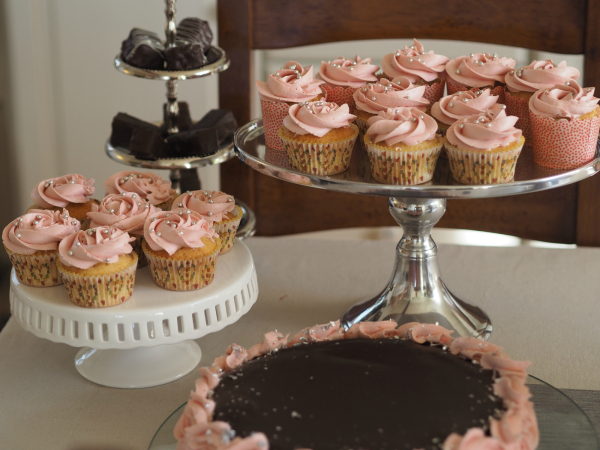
(569, 215)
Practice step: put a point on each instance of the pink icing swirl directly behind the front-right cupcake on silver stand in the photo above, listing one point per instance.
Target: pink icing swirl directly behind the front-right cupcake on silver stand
(464, 104)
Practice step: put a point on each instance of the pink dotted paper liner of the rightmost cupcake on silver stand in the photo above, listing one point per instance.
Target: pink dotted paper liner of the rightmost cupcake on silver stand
(564, 144)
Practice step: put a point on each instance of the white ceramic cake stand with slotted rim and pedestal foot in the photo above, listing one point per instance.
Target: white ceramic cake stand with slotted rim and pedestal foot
(147, 340)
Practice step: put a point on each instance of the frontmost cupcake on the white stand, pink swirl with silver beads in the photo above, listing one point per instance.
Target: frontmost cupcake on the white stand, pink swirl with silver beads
(97, 266)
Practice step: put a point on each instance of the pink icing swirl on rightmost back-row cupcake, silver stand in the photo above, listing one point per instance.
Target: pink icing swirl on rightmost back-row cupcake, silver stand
(540, 75)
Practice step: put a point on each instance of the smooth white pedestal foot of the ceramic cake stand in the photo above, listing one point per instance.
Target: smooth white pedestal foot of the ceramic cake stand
(138, 367)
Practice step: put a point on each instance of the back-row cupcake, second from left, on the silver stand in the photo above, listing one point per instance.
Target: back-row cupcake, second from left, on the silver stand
(344, 76)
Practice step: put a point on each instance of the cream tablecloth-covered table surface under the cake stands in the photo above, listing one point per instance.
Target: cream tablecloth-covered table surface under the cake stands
(544, 305)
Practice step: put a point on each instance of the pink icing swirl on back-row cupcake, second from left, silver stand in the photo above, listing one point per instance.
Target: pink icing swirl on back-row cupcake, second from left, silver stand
(348, 72)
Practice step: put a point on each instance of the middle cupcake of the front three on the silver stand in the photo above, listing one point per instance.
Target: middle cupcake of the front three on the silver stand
(403, 146)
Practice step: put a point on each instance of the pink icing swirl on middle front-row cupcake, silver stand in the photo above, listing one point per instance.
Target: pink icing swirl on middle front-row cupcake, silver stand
(401, 125)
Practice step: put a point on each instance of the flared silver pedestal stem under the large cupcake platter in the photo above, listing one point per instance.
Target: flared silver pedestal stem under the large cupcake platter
(416, 292)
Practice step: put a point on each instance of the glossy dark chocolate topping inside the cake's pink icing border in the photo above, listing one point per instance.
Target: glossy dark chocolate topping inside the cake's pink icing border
(357, 394)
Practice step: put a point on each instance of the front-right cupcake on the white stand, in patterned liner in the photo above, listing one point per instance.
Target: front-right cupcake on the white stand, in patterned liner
(181, 250)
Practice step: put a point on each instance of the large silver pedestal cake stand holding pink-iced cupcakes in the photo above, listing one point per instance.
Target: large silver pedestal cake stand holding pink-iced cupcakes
(416, 291)
